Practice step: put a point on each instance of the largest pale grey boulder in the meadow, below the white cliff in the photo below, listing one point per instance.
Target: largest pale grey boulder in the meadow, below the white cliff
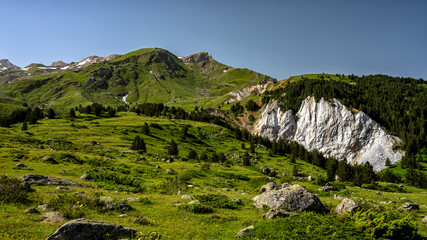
(293, 198)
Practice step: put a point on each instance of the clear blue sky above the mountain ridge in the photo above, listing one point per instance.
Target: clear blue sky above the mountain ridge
(277, 38)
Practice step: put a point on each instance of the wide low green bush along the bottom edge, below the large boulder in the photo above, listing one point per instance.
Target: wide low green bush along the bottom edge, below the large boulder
(361, 225)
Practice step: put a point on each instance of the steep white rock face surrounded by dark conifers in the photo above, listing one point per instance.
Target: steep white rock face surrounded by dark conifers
(332, 129)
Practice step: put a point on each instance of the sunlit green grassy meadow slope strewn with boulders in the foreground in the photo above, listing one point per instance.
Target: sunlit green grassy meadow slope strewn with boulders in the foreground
(149, 176)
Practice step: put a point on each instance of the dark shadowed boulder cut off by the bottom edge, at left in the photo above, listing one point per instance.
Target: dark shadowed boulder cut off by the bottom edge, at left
(82, 229)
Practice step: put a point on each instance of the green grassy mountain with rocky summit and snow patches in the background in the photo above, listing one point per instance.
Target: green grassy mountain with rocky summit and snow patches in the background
(146, 75)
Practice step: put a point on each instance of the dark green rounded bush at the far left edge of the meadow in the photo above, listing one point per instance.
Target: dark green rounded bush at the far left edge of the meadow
(13, 190)
